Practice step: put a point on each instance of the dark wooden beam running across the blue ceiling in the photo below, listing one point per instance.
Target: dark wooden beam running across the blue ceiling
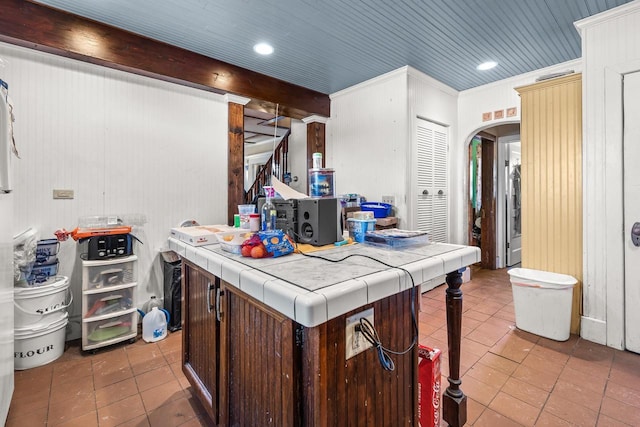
(50, 30)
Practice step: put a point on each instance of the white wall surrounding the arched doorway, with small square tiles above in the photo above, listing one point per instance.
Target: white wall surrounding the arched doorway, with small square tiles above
(472, 103)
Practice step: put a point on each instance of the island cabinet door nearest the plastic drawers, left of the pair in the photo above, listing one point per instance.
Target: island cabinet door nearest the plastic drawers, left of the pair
(200, 336)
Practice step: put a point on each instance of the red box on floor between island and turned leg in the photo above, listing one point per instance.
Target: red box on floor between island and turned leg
(429, 398)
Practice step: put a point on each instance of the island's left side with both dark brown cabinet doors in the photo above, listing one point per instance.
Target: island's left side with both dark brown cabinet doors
(237, 354)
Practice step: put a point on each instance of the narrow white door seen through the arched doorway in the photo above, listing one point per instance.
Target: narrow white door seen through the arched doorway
(514, 198)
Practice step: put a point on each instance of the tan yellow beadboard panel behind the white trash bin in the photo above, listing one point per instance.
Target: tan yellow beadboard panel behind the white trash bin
(551, 135)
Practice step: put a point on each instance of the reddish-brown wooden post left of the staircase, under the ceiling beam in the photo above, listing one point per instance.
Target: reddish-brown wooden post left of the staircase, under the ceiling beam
(236, 160)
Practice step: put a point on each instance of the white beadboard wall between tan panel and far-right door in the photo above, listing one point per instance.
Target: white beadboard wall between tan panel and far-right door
(610, 48)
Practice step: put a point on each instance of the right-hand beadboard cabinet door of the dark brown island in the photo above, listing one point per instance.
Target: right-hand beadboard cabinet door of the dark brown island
(259, 370)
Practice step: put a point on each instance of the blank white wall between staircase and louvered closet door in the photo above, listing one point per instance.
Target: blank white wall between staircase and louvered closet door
(366, 140)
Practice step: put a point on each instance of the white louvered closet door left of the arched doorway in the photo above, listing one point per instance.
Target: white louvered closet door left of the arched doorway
(432, 180)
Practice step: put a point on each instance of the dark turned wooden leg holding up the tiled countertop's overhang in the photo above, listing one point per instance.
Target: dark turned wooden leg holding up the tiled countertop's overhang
(454, 402)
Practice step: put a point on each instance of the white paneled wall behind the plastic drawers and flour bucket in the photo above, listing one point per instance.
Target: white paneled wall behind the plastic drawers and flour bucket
(125, 144)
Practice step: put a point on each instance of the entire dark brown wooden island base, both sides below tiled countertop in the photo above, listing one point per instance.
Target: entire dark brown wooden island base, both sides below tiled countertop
(250, 365)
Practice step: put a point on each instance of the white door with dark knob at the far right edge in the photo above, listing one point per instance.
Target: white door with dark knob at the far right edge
(632, 210)
